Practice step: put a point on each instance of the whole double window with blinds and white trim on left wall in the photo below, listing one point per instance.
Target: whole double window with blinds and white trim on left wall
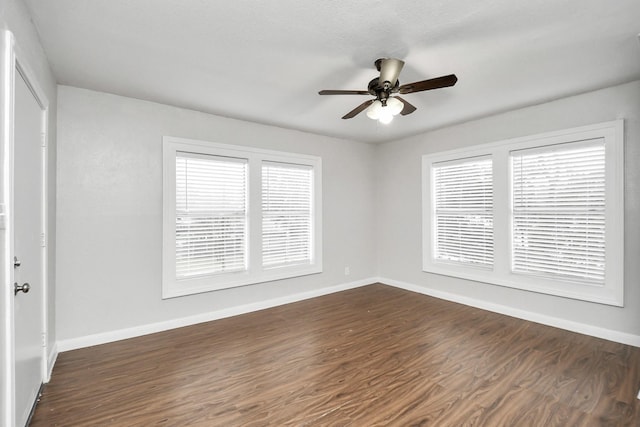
(237, 215)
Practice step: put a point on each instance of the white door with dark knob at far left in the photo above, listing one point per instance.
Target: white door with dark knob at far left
(28, 243)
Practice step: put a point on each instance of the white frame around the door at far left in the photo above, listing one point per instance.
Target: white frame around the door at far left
(13, 66)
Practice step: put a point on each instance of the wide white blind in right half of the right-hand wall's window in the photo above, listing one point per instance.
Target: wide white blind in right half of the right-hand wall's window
(559, 211)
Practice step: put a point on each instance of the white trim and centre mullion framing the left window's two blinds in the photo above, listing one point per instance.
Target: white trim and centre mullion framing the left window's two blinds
(171, 287)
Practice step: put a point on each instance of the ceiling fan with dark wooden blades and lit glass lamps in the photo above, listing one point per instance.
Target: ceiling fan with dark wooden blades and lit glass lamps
(385, 106)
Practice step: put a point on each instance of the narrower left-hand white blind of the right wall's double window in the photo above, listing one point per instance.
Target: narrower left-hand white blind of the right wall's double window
(463, 220)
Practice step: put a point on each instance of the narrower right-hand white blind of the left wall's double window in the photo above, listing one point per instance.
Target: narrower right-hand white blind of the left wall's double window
(287, 195)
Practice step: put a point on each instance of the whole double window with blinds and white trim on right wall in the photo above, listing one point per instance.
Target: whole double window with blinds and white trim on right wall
(541, 213)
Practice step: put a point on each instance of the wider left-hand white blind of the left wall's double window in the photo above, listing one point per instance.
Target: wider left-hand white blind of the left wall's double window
(211, 215)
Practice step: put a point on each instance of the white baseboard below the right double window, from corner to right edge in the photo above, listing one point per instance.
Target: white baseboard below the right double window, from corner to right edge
(594, 331)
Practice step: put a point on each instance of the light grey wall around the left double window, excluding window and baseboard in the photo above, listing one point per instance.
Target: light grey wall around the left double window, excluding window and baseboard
(110, 211)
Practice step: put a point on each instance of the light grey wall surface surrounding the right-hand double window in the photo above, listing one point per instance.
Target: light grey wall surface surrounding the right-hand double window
(399, 228)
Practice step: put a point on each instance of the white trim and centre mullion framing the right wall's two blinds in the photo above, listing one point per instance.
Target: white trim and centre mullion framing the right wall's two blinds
(612, 292)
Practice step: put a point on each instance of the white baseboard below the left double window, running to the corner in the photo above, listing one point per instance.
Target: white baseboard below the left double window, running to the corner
(121, 334)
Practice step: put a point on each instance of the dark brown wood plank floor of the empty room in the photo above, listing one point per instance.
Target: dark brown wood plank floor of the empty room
(373, 356)
